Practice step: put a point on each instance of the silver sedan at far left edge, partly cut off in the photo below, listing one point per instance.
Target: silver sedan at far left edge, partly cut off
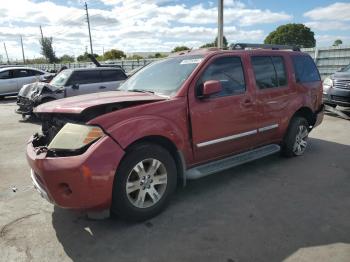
(13, 78)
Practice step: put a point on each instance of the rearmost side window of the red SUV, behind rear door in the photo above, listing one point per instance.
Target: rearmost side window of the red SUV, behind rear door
(305, 69)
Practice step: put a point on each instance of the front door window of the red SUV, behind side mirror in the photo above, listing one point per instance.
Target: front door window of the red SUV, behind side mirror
(227, 70)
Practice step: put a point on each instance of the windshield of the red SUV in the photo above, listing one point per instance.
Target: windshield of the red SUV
(163, 77)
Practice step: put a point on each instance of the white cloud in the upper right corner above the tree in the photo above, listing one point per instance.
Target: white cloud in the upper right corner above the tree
(338, 11)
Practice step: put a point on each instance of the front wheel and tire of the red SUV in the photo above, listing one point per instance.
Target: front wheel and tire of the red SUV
(157, 173)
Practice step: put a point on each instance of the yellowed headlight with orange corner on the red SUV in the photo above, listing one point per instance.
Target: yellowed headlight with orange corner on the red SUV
(75, 136)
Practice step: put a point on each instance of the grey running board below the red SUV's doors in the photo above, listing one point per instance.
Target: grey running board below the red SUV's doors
(232, 161)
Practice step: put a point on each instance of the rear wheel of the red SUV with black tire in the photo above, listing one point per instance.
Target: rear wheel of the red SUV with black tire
(295, 141)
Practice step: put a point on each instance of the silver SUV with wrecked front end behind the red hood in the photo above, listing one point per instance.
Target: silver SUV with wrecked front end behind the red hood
(69, 82)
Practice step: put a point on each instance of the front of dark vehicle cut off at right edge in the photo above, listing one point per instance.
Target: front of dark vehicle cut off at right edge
(336, 88)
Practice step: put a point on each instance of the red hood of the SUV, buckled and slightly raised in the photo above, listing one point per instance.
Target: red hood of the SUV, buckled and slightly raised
(77, 104)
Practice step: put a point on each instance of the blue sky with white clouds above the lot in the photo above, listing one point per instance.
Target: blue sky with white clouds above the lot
(160, 25)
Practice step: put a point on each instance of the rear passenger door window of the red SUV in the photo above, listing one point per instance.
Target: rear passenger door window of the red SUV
(269, 71)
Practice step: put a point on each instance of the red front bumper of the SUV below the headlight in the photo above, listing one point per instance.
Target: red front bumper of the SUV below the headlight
(81, 180)
